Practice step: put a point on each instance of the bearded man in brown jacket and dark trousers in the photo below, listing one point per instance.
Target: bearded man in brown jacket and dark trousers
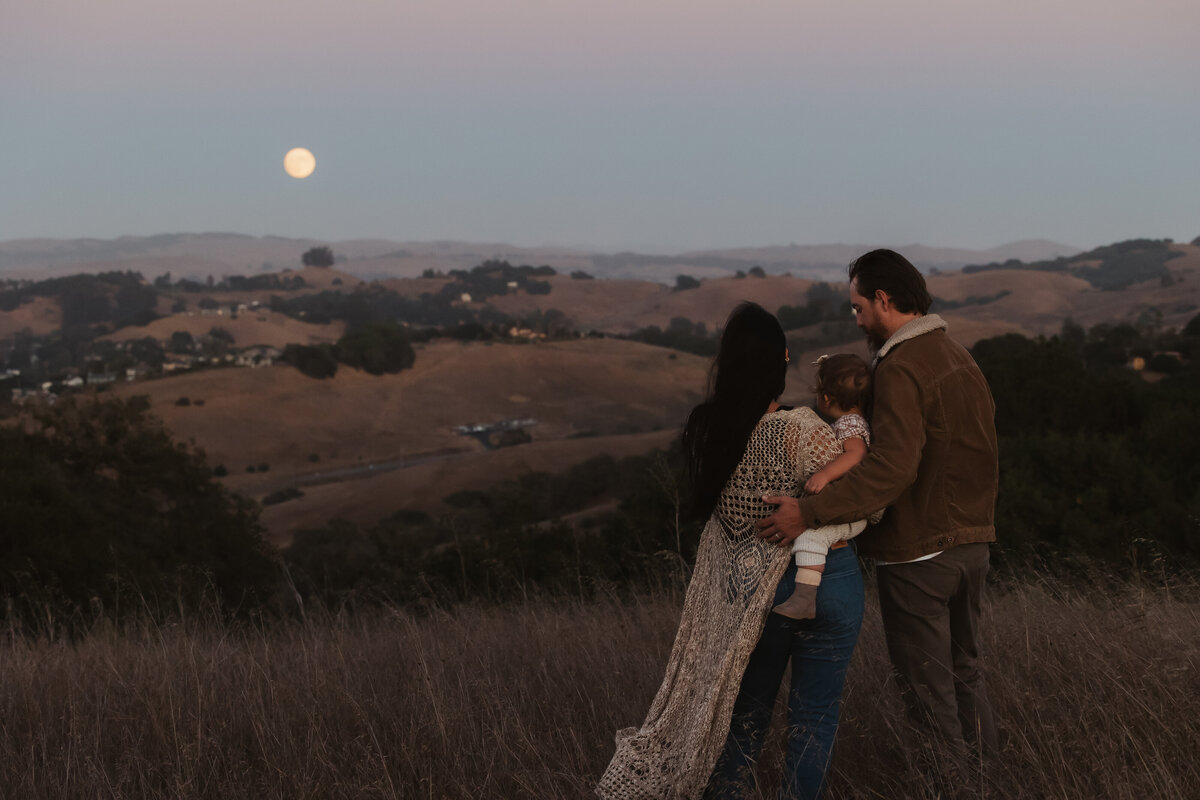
(934, 465)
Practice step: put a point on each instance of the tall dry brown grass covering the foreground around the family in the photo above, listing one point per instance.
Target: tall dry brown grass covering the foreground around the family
(1097, 697)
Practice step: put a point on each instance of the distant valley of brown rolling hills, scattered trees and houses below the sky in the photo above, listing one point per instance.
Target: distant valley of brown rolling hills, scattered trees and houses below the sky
(596, 365)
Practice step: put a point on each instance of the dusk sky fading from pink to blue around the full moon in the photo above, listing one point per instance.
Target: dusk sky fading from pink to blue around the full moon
(653, 125)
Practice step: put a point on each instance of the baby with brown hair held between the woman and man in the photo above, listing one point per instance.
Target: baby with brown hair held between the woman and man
(844, 387)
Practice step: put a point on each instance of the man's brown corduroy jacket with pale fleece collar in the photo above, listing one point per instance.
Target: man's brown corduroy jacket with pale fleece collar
(934, 459)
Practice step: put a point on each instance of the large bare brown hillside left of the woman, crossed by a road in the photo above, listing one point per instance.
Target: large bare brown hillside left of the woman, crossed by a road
(589, 398)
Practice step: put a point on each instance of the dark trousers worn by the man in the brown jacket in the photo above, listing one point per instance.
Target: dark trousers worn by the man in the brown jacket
(932, 619)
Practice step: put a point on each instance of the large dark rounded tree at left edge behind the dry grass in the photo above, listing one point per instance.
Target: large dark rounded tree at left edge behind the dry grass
(100, 506)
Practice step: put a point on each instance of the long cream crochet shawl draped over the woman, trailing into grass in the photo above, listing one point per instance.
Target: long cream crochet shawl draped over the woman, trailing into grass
(673, 755)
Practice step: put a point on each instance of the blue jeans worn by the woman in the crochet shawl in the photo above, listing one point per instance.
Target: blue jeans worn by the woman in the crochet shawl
(820, 652)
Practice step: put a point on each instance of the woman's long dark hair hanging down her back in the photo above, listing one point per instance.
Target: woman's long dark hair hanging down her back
(749, 372)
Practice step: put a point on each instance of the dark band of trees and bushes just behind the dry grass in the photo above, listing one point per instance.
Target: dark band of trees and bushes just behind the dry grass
(100, 508)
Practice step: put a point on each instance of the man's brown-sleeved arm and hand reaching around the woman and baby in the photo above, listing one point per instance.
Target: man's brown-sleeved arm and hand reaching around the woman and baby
(898, 435)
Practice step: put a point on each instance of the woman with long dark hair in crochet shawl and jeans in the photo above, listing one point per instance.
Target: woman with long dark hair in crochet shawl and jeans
(728, 661)
